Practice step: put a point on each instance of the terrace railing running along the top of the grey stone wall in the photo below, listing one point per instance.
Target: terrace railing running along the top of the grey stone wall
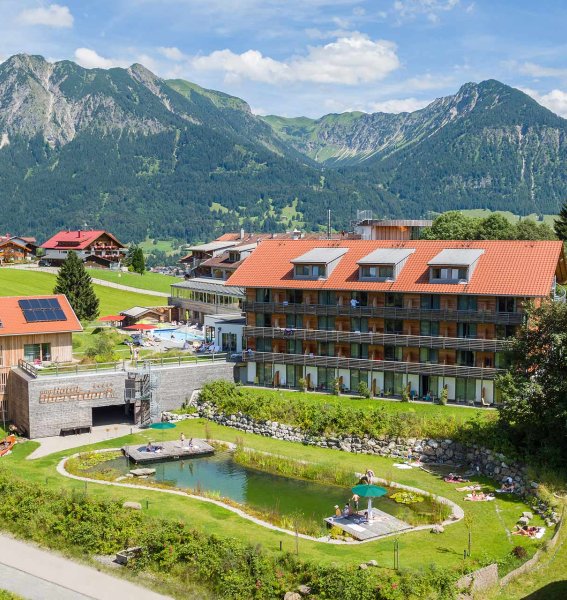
(168, 361)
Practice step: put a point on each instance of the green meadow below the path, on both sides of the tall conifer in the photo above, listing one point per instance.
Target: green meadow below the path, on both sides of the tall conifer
(24, 282)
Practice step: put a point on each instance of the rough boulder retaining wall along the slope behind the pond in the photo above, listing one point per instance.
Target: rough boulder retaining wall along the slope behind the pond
(486, 462)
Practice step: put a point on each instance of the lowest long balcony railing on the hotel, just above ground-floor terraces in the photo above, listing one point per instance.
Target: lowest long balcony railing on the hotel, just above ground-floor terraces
(371, 365)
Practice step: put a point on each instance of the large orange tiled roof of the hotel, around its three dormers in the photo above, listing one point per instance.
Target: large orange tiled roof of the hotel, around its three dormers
(506, 268)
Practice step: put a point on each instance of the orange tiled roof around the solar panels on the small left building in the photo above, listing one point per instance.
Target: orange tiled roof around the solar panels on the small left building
(14, 322)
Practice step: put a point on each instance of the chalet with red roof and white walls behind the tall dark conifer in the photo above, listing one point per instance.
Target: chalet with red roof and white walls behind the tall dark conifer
(95, 247)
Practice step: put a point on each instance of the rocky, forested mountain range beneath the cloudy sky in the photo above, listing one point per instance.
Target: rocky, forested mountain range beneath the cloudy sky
(125, 150)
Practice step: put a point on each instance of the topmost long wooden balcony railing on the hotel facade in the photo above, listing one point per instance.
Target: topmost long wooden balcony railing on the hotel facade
(388, 312)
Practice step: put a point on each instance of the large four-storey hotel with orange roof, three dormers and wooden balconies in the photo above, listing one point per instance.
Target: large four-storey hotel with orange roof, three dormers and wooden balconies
(416, 315)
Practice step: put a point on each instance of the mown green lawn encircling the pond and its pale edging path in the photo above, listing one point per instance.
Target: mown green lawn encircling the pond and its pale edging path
(417, 549)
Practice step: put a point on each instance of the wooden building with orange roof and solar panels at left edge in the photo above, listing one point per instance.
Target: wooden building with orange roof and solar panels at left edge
(36, 330)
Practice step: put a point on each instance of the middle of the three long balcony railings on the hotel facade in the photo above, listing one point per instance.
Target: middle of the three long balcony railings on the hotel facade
(379, 339)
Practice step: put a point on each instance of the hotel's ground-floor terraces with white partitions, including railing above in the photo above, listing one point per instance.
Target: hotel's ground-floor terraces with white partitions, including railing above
(466, 385)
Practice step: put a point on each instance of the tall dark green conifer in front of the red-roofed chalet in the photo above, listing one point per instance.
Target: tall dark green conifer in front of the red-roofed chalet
(74, 281)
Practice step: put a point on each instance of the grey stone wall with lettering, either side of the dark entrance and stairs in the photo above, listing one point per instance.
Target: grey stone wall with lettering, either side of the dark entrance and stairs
(45, 405)
